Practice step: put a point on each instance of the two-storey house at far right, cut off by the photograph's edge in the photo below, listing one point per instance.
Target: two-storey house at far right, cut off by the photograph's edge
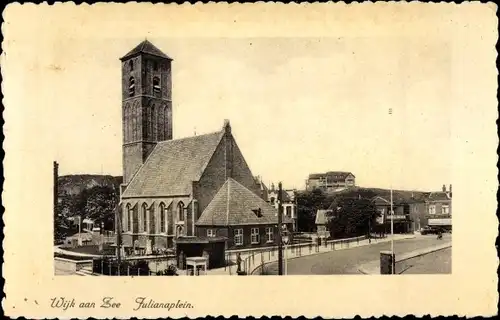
(438, 206)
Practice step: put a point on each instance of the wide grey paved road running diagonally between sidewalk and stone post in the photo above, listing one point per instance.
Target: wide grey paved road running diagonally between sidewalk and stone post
(346, 261)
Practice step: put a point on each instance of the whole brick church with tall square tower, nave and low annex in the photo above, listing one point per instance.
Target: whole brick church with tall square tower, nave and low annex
(198, 186)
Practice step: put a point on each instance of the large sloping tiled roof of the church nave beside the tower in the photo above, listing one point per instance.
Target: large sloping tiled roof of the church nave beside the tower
(173, 165)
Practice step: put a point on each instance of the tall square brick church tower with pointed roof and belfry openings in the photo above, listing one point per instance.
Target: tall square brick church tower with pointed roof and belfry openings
(146, 104)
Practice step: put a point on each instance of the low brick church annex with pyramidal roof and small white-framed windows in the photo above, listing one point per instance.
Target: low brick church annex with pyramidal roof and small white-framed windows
(240, 215)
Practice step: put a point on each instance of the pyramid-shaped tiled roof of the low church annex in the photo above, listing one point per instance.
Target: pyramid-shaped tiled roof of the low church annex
(236, 205)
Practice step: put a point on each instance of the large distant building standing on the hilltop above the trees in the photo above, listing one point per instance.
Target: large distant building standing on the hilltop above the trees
(331, 181)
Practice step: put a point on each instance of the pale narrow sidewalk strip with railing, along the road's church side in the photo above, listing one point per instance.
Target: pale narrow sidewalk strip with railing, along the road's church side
(252, 262)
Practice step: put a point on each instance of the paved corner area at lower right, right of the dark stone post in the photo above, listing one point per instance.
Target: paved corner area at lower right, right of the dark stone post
(438, 262)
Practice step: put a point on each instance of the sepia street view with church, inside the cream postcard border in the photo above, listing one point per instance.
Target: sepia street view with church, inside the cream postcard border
(197, 205)
